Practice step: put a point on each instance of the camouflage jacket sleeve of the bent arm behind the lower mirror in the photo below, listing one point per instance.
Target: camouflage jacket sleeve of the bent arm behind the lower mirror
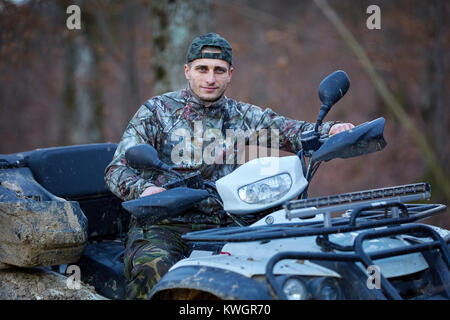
(124, 181)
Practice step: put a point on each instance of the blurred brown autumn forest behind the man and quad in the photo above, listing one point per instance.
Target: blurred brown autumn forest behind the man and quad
(62, 87)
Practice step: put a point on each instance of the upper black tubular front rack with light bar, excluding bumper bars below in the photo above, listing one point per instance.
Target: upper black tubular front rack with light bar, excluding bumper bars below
(362, 210)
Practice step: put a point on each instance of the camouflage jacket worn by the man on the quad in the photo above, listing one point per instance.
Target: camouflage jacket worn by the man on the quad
(180, 128)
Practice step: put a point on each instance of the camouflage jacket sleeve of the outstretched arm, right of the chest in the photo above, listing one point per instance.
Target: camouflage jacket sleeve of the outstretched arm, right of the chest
(289, 130)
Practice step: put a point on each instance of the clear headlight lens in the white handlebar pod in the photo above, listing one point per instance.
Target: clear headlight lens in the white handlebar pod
(266, 190)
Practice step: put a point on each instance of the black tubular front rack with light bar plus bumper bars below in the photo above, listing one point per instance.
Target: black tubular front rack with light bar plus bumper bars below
(376, 213)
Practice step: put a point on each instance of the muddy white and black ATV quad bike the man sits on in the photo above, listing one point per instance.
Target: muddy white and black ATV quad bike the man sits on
(55, 211)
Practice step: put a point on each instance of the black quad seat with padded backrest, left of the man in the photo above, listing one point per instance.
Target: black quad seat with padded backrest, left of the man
(76, 173)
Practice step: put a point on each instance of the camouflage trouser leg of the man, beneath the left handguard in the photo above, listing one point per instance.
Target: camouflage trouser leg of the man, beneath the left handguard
(149, 254)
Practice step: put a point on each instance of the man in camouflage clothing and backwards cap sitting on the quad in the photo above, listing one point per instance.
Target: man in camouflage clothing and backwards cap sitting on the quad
(152, 250)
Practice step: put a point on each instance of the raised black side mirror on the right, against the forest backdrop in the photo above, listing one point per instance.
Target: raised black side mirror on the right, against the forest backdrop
(331, 90)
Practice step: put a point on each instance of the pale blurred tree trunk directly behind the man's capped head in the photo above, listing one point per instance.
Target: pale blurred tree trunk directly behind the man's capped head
(175, 23)
